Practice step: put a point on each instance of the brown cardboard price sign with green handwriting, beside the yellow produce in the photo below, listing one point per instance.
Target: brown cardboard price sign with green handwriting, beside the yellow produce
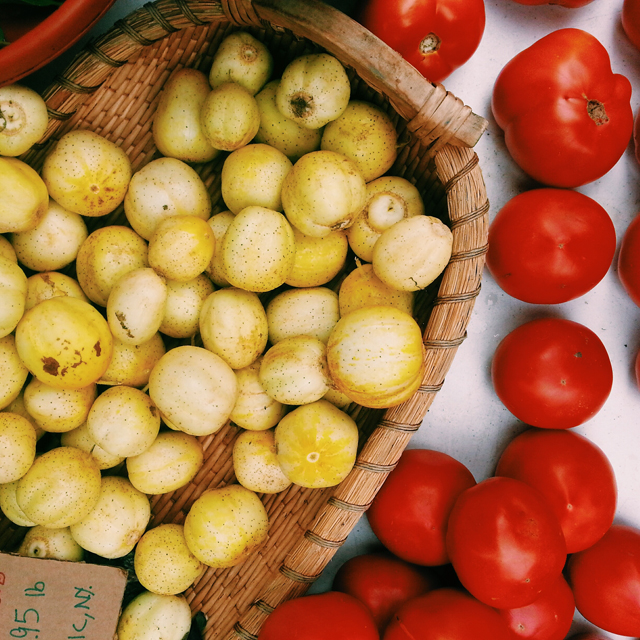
(54, 600)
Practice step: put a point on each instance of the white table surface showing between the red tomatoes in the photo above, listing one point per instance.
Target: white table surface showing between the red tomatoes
(476, 430)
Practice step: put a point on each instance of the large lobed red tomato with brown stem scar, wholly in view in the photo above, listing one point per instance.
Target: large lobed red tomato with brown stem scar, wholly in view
(566, 116)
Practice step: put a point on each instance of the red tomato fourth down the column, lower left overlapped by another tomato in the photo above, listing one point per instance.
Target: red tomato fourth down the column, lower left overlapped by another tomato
(573, 474)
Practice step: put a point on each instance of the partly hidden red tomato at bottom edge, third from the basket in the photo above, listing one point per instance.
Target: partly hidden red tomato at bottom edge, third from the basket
(548, 617)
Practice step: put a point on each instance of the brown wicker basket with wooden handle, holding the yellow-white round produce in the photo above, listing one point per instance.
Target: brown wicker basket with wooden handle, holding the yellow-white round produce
(112, 87)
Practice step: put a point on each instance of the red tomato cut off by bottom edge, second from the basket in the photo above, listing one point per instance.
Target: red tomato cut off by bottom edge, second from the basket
(446, 614)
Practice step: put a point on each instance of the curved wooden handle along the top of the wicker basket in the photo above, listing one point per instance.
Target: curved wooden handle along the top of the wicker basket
(436, 116)
